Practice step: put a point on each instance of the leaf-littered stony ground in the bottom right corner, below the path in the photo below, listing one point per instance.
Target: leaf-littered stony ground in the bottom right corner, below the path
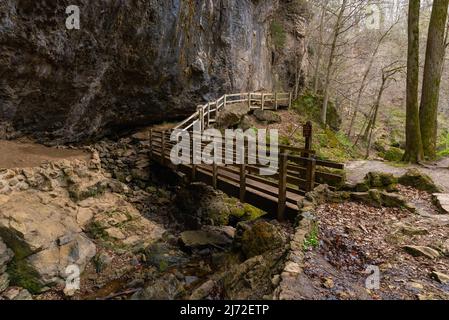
(354, 236)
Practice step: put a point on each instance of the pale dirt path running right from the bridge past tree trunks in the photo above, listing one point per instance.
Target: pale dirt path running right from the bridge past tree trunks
(439, 172)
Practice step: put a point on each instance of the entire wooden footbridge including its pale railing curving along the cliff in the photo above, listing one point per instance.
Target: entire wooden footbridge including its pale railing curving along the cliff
(298, 171)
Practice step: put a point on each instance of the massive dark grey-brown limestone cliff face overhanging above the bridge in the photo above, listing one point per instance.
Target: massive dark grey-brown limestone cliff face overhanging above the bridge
(137, 62)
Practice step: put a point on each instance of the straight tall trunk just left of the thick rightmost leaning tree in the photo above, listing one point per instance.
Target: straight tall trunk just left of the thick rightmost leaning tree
(414, 146)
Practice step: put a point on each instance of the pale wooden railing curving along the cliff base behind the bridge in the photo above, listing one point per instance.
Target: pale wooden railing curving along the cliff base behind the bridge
(208, 114)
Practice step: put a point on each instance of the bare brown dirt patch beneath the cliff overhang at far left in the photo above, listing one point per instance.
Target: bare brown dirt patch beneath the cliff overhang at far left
(14, 154)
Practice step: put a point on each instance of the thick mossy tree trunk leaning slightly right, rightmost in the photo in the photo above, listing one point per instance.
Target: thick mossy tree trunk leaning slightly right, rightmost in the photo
(433, 69)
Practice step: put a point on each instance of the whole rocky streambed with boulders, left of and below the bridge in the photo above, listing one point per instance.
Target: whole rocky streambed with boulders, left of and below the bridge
(132, 230)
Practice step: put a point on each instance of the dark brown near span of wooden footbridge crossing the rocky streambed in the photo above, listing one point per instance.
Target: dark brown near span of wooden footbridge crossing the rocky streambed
(297, 173)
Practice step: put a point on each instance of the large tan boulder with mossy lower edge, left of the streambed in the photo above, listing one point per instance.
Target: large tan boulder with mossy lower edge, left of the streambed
(44, 237)
